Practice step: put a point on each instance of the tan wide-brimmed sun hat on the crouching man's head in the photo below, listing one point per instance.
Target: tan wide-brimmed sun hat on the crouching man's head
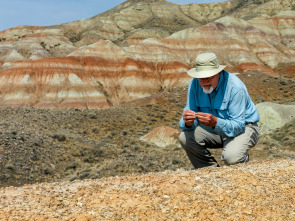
(207, 65)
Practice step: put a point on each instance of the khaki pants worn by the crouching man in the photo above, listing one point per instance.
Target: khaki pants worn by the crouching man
(235, 149)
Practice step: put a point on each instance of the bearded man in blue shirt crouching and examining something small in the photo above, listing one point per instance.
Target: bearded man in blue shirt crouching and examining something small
(219, 114)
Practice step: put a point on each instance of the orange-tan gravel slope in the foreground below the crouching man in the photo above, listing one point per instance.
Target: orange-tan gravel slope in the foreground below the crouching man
(252, 191)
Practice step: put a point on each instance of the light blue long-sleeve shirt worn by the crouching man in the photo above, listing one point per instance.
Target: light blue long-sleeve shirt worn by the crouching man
(229, 102)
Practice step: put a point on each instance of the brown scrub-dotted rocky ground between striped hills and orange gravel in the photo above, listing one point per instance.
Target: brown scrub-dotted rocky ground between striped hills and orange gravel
(41, 145)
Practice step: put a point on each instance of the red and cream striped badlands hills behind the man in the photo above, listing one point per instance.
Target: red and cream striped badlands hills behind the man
(141, 48)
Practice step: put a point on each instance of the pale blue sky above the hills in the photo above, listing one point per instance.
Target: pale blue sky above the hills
(54, 12)
